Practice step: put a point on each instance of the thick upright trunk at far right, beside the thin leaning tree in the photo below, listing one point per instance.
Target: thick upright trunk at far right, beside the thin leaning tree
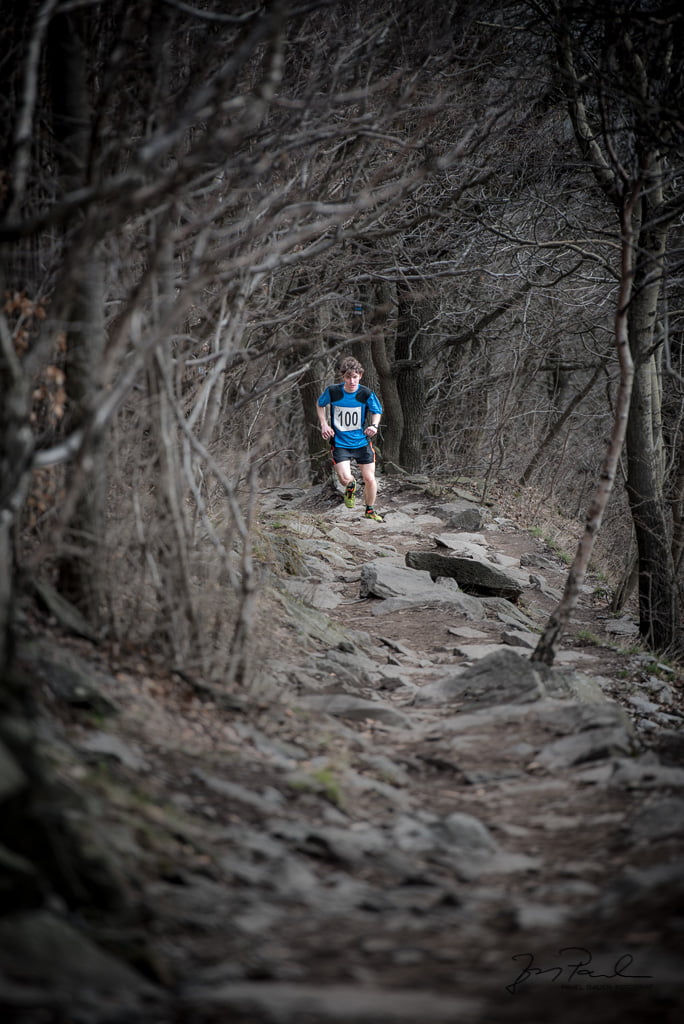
(660, 614)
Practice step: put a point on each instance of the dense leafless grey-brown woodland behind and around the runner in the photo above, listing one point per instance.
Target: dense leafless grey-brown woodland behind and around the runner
(204, 205)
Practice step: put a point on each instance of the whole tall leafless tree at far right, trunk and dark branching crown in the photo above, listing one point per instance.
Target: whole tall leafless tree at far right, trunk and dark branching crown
(622, 73)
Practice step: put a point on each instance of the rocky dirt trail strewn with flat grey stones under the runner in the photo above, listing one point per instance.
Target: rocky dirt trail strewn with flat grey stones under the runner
(401, 820)
